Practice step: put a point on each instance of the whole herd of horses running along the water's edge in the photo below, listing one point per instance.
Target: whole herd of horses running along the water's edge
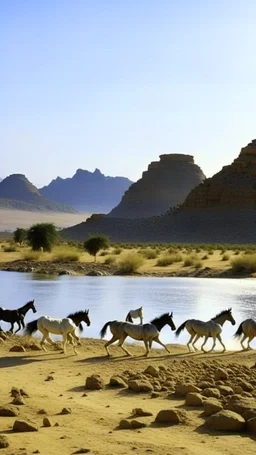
(146, 332)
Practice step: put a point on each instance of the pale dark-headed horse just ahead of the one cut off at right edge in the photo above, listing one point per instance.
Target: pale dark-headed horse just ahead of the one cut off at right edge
(212, 328)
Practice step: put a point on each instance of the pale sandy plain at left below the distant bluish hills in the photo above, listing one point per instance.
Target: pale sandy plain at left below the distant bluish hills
(11, 219)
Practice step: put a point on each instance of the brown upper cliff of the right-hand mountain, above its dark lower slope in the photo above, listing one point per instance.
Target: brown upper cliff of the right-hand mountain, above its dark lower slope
(233, 187)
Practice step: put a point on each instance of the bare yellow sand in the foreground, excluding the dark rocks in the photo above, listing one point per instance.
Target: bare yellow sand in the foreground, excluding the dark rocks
(94, 418)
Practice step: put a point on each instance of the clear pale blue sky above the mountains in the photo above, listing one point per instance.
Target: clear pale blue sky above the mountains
(115, 83)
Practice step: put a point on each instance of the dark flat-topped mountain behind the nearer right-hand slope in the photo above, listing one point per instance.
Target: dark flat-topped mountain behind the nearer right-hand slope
(165, 184)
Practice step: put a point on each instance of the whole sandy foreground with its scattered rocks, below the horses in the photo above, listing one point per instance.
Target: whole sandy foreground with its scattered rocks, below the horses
(51, 393)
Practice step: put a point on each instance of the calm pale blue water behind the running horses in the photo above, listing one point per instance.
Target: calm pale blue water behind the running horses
(111, 298)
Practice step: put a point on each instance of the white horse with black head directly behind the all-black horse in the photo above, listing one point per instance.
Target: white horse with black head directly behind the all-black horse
(65, 327)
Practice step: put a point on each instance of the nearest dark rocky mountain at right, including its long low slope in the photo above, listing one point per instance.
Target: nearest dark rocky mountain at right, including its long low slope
(221, 209)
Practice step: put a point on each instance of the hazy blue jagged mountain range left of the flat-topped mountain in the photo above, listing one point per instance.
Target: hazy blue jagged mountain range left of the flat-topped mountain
(88, 191)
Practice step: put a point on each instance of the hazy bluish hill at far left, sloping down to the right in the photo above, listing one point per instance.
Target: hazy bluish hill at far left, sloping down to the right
(16, 192)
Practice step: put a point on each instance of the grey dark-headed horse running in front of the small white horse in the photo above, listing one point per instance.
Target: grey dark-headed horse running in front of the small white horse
(148, 332)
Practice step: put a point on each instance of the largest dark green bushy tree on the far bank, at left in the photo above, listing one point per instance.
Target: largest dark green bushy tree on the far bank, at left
(42, 236)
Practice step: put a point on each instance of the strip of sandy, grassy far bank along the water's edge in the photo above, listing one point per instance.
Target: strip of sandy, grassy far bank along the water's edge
(98, 269)
